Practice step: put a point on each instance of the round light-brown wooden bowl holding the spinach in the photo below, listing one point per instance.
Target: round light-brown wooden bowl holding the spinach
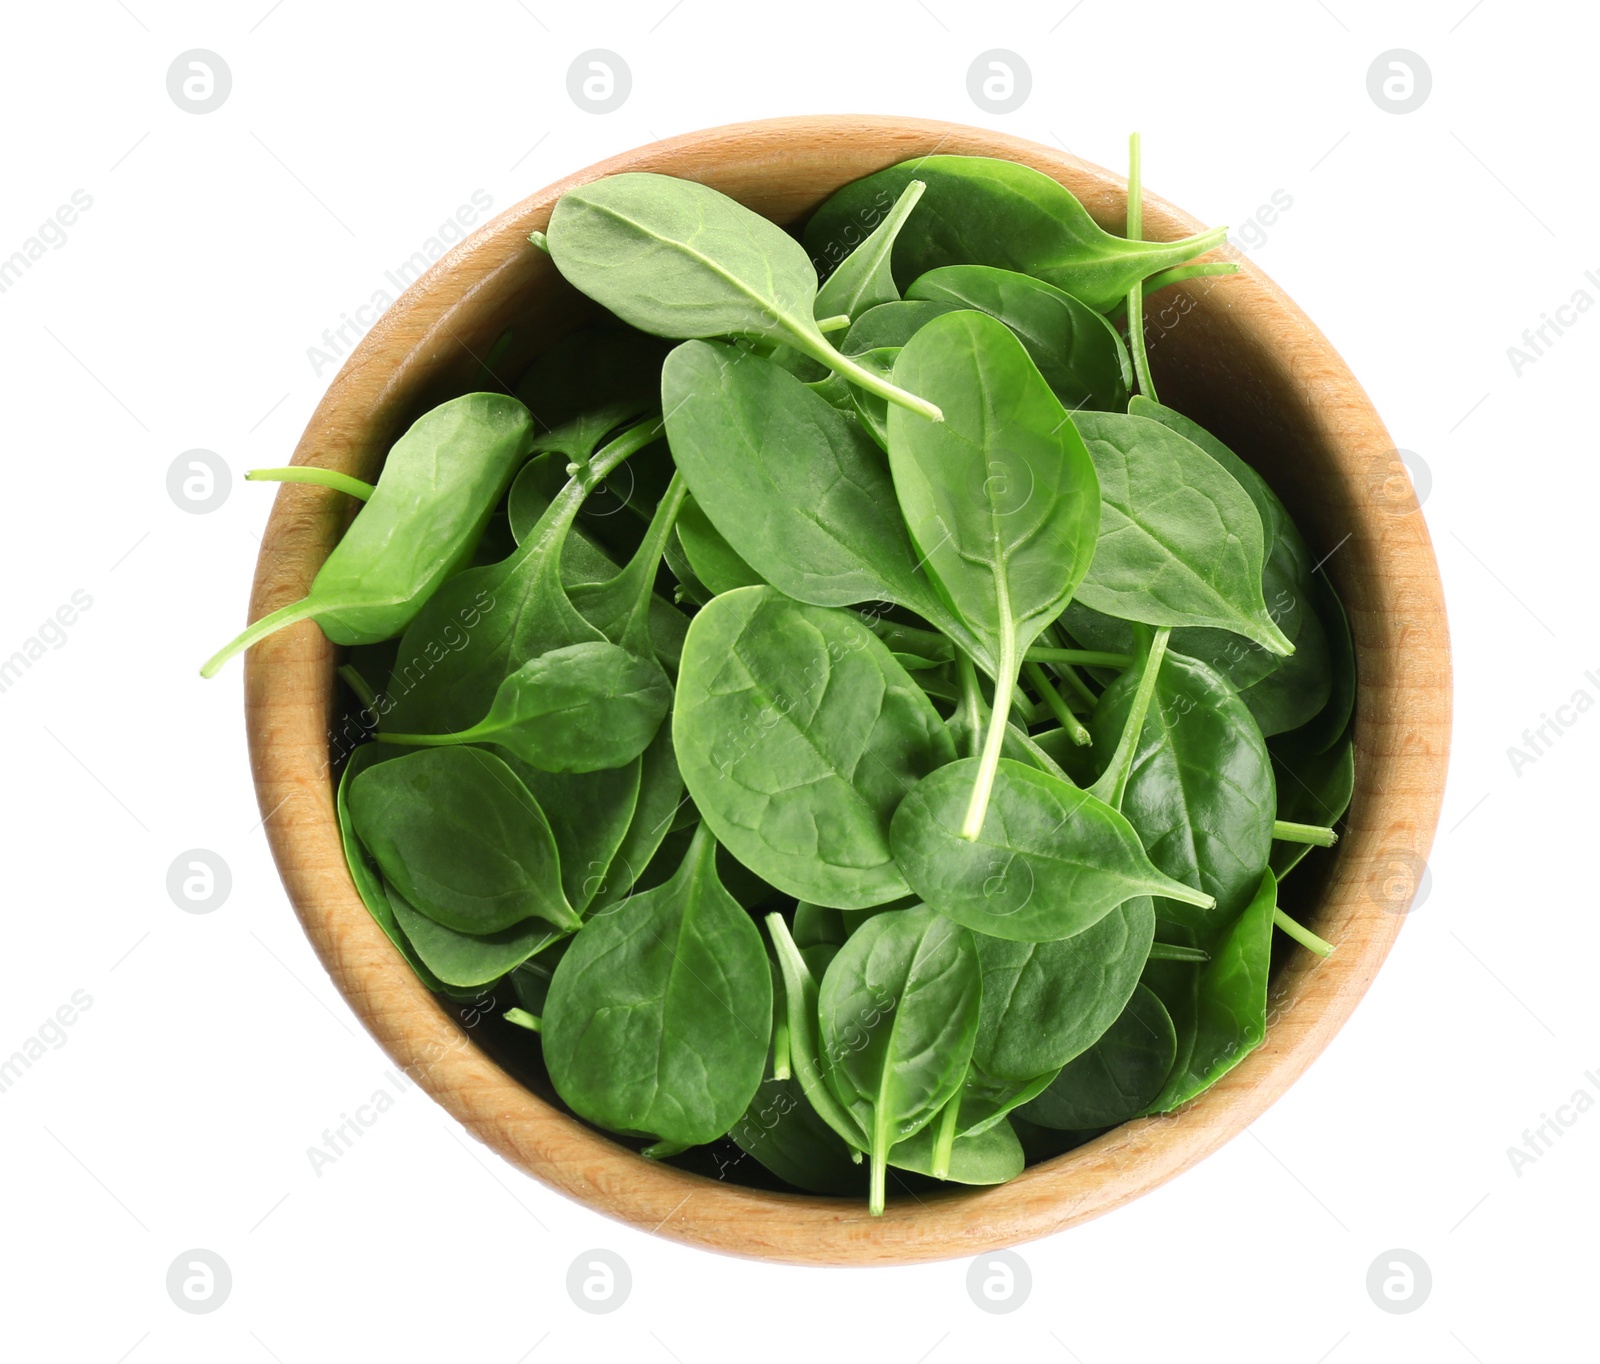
(1236, 355)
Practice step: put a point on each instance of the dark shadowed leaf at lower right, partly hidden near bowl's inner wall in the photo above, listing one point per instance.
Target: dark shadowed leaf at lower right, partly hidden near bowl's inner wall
(1119, 1077)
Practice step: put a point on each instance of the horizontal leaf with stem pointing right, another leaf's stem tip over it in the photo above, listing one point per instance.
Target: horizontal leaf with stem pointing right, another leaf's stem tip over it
(1049, 864)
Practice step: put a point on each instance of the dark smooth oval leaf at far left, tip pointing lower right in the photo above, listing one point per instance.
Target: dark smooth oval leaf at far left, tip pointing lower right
(457, 833)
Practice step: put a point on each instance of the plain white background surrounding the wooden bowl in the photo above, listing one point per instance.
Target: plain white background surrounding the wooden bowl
(178, 315)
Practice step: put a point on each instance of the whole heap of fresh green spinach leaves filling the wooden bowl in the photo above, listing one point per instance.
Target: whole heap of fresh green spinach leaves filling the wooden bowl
(865, 739)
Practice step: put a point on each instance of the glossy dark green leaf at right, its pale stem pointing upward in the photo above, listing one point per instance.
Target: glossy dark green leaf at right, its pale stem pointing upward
(1201, 792)
